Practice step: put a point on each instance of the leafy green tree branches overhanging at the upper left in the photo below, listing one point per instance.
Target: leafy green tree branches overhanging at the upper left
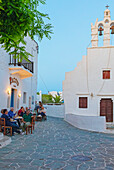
(19, 18)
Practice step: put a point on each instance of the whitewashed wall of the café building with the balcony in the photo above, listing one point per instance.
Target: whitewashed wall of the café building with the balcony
(28, 85)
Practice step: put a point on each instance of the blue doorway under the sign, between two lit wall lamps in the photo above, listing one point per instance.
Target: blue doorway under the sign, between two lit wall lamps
(13, 98)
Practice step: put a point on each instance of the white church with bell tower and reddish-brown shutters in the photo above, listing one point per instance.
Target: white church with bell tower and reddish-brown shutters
(89, 89)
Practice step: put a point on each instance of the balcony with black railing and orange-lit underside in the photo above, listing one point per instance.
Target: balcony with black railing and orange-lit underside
(24, 68)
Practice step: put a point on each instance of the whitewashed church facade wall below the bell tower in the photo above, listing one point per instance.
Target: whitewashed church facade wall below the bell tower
(75, 84)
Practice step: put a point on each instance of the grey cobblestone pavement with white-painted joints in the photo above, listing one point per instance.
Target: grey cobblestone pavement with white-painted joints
(53, 145)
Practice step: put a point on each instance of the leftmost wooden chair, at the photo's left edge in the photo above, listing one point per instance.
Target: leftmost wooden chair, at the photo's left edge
(3, 125)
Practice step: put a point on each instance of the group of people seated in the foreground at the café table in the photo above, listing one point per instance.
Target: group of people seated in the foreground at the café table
(12, 119)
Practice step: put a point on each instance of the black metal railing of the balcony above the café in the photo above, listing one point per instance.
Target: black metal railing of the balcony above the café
(26, 64)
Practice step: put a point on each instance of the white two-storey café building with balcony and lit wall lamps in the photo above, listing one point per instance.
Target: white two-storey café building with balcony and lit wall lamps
(18, 85)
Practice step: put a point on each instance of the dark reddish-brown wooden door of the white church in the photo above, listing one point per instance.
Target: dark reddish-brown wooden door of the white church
(106, 109)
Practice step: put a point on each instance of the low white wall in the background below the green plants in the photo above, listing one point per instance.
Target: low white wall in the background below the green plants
(55, 110)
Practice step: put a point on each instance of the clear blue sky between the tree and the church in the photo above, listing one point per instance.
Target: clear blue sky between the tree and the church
(72, 33)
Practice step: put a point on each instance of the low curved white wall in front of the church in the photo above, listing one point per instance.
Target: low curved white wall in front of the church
(91, 123)
